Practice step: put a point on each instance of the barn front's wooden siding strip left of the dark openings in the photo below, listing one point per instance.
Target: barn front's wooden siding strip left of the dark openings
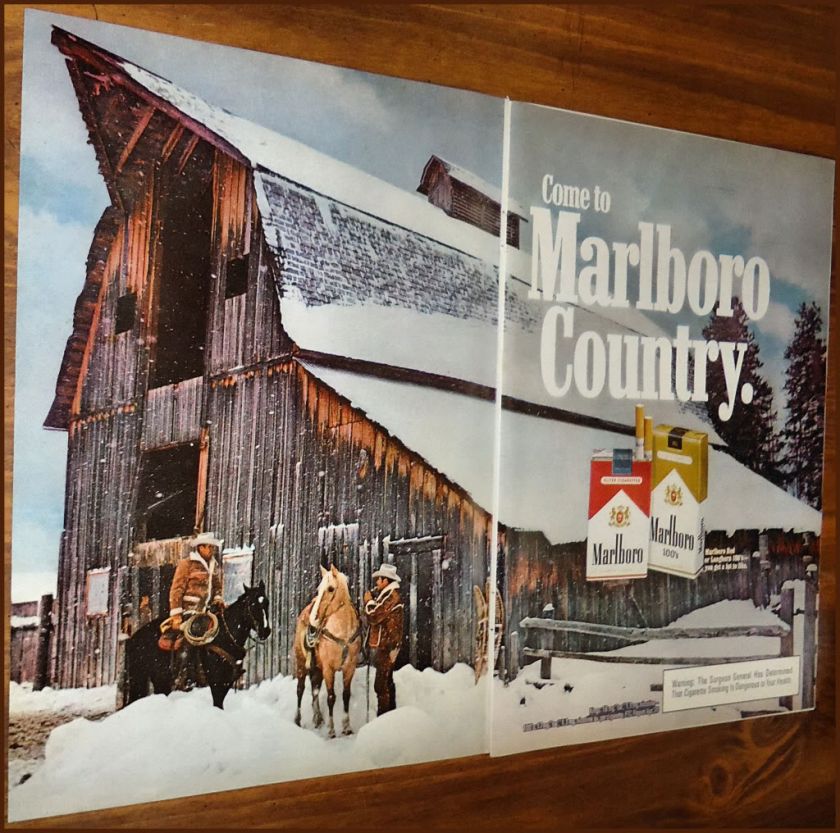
(104, 437)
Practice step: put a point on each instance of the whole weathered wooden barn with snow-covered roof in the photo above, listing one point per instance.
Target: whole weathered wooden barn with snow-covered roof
(275, 346)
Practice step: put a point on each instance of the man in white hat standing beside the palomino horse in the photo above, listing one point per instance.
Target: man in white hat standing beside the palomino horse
(384, 614)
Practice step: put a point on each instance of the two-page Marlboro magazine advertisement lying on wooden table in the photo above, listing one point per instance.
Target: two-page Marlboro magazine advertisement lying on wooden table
(362, 422)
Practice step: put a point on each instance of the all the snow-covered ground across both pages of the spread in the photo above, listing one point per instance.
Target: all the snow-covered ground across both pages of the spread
(165, 747)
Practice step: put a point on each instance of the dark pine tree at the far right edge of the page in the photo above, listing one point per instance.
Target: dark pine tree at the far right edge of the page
(805, 390)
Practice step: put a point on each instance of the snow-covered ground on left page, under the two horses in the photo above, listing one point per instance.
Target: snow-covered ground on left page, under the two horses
(164, 747)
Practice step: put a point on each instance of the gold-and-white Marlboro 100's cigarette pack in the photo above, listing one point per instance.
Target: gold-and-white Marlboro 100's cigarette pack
(680, 486)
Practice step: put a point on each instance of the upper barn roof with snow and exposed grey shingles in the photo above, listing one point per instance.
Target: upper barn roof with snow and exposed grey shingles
(404, 284)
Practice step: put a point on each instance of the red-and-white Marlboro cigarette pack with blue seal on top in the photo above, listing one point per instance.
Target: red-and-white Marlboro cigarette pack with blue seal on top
(618, 535)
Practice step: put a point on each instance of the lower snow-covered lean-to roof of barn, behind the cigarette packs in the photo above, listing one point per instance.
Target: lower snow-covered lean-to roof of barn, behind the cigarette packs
(544, 462)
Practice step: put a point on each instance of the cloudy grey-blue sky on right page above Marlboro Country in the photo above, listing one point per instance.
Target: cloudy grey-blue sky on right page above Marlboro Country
(725, 197)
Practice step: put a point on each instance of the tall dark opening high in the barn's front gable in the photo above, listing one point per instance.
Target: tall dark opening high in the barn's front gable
(184, 283)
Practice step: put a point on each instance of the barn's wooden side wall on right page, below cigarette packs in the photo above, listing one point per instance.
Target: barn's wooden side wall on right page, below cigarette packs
(534, 574)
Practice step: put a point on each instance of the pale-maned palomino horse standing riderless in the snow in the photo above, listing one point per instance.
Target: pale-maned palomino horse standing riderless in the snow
(328, 638)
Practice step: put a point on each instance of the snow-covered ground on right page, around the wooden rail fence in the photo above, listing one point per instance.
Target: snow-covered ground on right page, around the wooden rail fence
(580, 685)
